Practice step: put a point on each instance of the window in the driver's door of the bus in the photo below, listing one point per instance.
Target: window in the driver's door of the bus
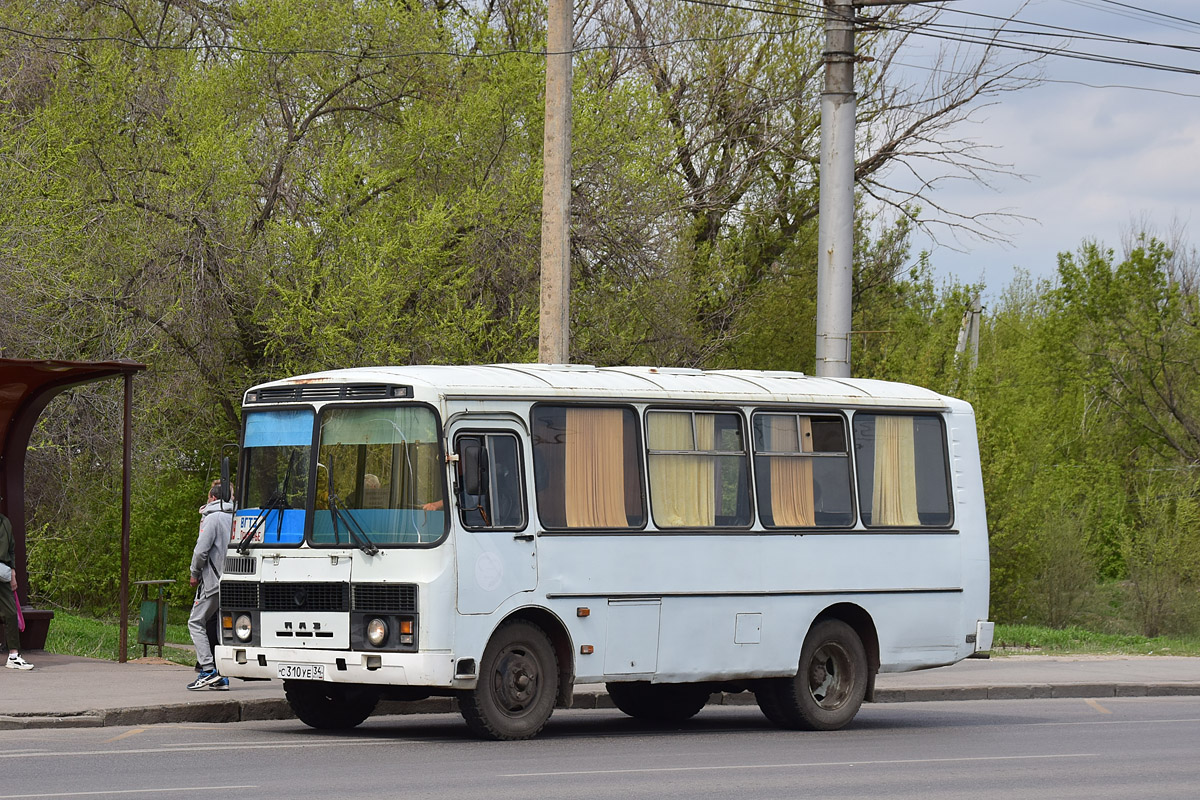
(491, 497)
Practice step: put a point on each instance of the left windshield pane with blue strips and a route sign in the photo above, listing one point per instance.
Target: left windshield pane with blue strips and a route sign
(278, 448)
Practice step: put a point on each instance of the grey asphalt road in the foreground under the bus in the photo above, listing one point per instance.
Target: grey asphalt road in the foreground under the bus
(1118, 748)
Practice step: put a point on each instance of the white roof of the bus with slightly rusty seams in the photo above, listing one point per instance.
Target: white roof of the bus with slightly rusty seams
(544, 382)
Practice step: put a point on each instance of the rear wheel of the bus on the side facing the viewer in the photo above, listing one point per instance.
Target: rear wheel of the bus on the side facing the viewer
(830, 684)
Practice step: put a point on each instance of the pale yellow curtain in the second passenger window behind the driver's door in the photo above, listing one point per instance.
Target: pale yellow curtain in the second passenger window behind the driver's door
(683, 489)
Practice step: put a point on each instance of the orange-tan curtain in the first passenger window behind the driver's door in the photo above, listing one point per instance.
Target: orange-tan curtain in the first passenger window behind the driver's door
(596, 468)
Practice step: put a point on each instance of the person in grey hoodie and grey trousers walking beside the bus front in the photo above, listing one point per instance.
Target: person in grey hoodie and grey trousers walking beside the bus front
(208, 564)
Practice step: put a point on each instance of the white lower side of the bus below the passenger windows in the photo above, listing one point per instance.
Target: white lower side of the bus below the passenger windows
(763, 594)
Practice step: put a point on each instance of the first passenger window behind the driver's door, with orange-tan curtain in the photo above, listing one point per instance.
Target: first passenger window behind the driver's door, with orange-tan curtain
(586, 467)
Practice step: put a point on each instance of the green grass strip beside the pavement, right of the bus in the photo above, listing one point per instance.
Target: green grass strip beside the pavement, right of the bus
(1077, 641)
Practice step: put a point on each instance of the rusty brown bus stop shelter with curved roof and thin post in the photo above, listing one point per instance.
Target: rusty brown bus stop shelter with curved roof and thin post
(27, 387)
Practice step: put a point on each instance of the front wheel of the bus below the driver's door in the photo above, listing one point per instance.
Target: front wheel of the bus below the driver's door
(518, 685)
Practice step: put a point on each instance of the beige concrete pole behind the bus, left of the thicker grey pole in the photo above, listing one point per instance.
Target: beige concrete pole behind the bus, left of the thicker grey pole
(555, 316)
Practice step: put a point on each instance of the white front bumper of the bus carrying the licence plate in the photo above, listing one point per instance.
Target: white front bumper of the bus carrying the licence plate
(435, 670)
